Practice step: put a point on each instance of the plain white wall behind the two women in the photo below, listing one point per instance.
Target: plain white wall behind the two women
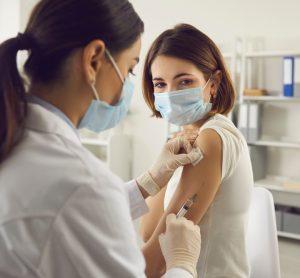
(276, 21)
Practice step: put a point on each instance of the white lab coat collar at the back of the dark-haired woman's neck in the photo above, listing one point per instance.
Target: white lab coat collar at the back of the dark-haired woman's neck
(42, 120)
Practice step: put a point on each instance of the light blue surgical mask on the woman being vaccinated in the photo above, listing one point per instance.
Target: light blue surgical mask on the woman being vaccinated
(182, 107)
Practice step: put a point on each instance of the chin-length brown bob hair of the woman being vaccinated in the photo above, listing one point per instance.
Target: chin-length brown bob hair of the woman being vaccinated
(186, 42)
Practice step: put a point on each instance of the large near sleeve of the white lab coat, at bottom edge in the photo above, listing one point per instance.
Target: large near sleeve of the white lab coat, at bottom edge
(94, 237)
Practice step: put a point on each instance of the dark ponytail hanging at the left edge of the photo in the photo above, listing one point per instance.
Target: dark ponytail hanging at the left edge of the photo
(12, 96)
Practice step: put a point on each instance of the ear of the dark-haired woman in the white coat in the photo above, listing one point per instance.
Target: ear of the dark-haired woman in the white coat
(92, 59)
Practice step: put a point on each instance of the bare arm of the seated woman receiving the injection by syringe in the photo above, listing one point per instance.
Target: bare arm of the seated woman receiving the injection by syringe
(202, 179)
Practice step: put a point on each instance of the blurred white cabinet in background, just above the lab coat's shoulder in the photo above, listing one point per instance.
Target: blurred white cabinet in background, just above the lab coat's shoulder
(112, 148)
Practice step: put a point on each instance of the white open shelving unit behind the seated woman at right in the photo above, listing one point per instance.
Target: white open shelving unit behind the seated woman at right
(275, 151)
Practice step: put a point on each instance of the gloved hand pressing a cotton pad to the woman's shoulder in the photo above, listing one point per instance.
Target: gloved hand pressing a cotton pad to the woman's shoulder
(175, 153)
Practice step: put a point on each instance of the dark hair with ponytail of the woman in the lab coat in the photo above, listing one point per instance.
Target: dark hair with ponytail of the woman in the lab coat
(55, 29)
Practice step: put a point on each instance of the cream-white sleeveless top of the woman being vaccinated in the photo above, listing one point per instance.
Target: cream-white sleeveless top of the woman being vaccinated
(224, 225)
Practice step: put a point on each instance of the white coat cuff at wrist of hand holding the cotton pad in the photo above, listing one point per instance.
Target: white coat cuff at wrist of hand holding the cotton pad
(138, 206)
